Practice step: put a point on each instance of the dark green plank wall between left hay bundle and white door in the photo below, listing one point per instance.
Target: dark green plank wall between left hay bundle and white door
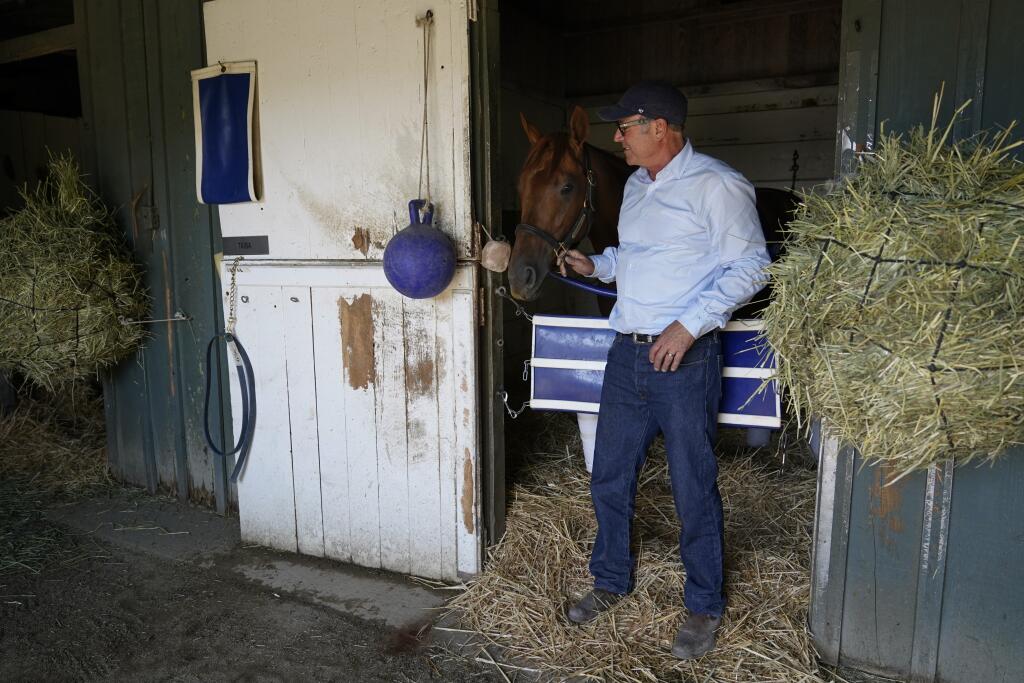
(135, 59)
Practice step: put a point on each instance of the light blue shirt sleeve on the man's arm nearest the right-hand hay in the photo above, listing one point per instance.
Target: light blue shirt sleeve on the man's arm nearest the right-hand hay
(736, 232)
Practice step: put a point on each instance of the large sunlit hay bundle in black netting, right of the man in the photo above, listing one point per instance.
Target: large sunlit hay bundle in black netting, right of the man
(899, 307)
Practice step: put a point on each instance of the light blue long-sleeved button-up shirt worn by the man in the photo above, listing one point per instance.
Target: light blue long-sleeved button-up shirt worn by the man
(691, 247)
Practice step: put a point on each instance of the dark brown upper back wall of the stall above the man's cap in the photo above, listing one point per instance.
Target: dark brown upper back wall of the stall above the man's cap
(610, 47)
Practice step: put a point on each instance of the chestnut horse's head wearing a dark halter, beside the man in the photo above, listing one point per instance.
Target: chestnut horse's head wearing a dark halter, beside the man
(556, 186)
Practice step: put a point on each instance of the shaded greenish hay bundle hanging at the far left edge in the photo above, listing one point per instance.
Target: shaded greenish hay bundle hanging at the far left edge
(66, 284)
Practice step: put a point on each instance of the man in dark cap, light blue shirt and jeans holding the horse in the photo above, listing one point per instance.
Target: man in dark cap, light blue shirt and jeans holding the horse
(691, 252)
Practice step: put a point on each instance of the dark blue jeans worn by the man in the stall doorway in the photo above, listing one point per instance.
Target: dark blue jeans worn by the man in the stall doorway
(637, 402)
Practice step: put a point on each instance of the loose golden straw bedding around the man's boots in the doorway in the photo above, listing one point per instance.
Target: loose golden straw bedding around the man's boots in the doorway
(540, 567)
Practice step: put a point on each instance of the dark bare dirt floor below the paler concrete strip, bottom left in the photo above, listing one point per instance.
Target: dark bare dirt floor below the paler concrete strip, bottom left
(100, 612)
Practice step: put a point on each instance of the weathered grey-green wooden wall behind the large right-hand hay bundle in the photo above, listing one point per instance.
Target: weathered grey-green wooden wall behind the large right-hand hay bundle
(920, 579)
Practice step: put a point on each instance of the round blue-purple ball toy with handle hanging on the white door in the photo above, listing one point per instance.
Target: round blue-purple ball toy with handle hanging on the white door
(419, 262)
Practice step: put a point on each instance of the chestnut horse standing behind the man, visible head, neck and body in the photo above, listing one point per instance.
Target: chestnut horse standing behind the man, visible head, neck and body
(570, 190)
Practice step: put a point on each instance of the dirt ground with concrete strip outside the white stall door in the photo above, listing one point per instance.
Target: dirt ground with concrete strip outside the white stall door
(100, 583)
